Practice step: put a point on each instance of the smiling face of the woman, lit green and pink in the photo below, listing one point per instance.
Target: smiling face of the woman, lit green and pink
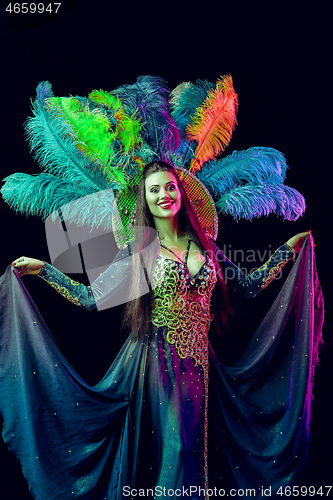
(162, 194)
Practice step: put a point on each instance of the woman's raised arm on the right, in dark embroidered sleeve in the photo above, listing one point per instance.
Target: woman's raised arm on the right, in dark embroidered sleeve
(250, 285)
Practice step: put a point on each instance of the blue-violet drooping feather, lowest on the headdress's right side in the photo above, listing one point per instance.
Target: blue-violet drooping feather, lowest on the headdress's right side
(247, 202)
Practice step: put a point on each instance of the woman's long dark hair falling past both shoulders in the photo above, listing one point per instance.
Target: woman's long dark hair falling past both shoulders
(138, 312)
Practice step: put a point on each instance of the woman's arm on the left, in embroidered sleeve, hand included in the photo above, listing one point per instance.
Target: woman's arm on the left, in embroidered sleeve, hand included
(88, 297)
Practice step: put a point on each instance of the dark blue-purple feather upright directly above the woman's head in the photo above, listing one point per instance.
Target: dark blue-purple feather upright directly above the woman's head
(149, 97)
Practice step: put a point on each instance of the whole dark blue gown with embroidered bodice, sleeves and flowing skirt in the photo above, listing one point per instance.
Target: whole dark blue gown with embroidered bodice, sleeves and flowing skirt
(145, 426)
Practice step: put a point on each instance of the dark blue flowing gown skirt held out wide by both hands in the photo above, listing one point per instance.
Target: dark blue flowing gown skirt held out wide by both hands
(140, 431)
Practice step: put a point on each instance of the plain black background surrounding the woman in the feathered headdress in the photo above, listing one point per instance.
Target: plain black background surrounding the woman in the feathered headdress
(279, 57)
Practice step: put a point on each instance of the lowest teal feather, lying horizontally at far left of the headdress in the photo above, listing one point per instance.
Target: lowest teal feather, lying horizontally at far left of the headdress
(43, 194)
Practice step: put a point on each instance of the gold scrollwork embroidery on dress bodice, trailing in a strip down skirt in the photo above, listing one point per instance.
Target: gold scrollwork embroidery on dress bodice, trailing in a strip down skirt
(188, 321)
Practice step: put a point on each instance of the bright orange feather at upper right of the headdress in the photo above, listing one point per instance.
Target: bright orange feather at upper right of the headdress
(214, 122)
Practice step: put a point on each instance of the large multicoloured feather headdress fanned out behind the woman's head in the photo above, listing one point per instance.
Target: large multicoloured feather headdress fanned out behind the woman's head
(93, 150)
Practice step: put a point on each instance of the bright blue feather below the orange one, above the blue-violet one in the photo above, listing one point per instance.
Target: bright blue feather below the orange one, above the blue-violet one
(257, 165)
